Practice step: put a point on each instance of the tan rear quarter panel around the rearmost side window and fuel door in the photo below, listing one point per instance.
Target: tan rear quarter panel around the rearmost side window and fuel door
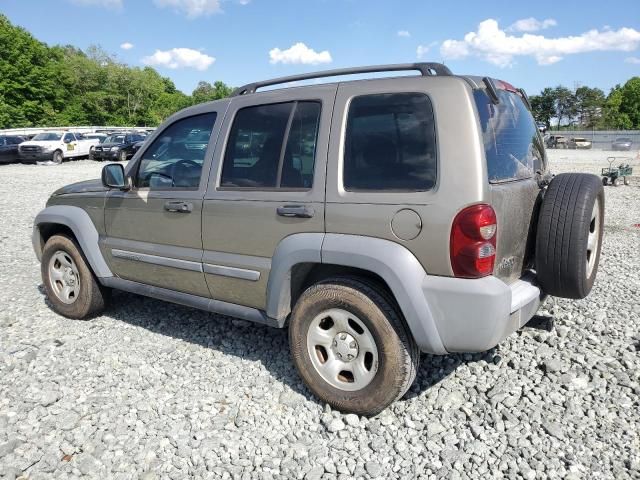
(461, 172)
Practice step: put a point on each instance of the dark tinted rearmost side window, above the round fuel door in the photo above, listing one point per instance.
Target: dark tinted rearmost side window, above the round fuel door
(390, 143)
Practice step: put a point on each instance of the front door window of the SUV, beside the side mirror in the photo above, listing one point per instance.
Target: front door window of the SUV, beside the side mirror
(173, 160)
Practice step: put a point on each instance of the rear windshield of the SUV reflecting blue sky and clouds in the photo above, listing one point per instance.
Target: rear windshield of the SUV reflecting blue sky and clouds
(511, 139)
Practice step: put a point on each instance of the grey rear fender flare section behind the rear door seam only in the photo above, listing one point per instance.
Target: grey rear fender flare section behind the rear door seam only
(400, 269)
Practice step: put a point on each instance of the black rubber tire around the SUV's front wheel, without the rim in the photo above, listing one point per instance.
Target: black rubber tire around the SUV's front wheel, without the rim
(92, 297)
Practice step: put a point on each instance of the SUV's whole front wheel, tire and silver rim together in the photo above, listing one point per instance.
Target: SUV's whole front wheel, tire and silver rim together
(71, 287)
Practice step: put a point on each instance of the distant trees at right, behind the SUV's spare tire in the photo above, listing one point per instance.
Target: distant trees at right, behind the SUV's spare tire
(589, 108)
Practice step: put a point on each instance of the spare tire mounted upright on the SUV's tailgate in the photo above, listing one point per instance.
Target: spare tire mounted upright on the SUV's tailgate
(564, 226)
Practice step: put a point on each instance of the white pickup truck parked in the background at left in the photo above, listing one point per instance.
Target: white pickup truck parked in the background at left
(56, 146)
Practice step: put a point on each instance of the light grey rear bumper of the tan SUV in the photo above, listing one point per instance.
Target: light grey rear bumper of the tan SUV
(476, 315)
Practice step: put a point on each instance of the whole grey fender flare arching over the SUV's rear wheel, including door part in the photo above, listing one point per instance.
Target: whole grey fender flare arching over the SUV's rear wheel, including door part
(392, 262)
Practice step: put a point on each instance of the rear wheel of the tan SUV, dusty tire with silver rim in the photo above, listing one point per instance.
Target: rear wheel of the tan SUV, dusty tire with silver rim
(351, 346)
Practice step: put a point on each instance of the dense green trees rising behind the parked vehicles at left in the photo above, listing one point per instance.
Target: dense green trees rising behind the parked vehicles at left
(62, 86)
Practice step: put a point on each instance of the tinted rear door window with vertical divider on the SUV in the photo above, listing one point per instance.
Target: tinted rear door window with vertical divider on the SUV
(272, 146)
